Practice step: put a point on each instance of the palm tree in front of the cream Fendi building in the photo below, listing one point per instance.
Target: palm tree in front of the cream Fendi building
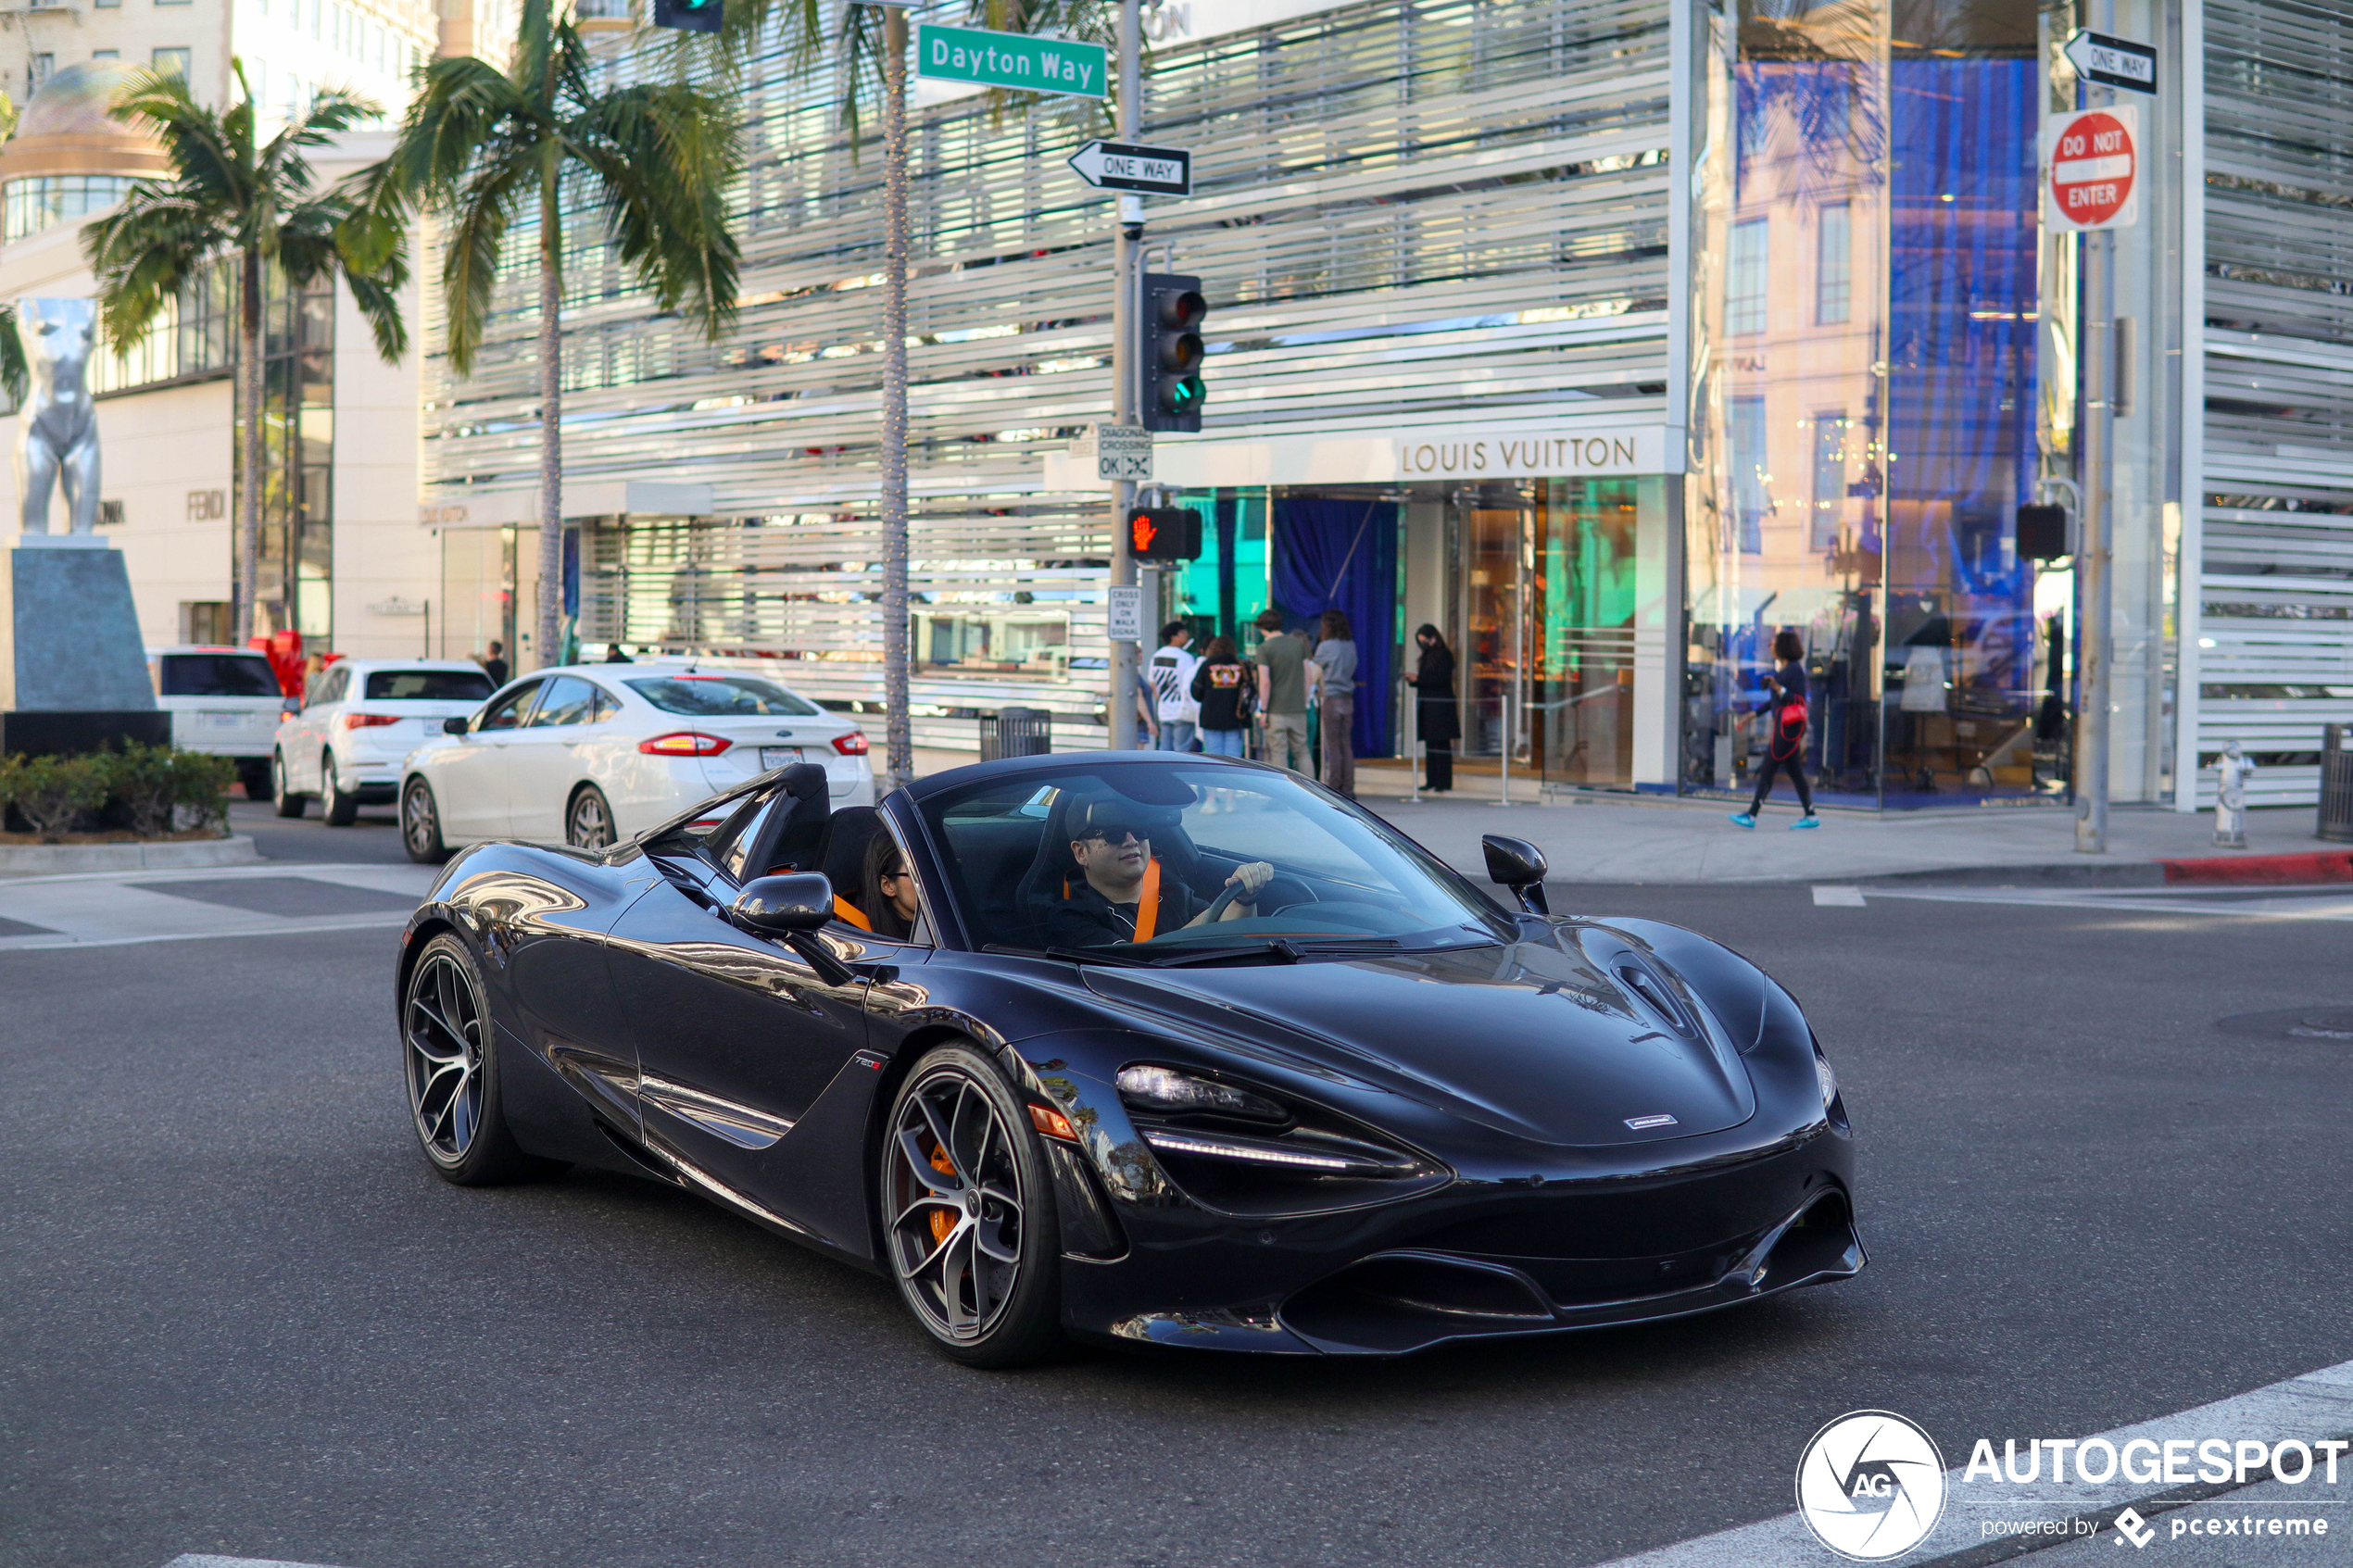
(234, 199)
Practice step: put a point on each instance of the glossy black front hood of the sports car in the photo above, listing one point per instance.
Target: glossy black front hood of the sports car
(1540, 1040)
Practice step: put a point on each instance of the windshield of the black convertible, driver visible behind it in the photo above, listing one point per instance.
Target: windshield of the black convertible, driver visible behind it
(1166, 862)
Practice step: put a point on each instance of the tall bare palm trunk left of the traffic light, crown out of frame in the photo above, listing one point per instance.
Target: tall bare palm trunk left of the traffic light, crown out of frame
(900, 735)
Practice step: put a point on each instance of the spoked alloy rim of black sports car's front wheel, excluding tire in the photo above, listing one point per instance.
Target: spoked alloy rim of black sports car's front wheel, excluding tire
(956, 1205)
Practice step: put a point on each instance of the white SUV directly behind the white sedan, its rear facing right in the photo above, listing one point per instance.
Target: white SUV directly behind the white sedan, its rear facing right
(359, 721)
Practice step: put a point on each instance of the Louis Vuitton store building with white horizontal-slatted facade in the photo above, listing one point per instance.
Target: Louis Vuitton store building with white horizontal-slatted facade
(1606, 335)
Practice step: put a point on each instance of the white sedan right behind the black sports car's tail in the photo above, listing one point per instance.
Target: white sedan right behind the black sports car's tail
(601, 753)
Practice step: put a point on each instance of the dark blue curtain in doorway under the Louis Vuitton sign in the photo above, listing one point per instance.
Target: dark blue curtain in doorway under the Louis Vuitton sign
(1335, 554)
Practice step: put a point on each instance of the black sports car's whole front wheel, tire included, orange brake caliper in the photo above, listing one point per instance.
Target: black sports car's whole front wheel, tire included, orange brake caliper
(968, 1212)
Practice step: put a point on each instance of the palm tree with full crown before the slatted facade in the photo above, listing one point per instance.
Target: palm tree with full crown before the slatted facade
(481, 147)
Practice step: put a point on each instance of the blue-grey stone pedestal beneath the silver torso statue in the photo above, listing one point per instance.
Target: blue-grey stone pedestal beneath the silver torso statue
(72, 659)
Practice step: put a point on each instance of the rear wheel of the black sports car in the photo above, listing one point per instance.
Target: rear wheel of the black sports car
(451, 1061)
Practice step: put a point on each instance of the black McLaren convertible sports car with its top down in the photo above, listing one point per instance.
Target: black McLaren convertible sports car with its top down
(1135, 1047)
